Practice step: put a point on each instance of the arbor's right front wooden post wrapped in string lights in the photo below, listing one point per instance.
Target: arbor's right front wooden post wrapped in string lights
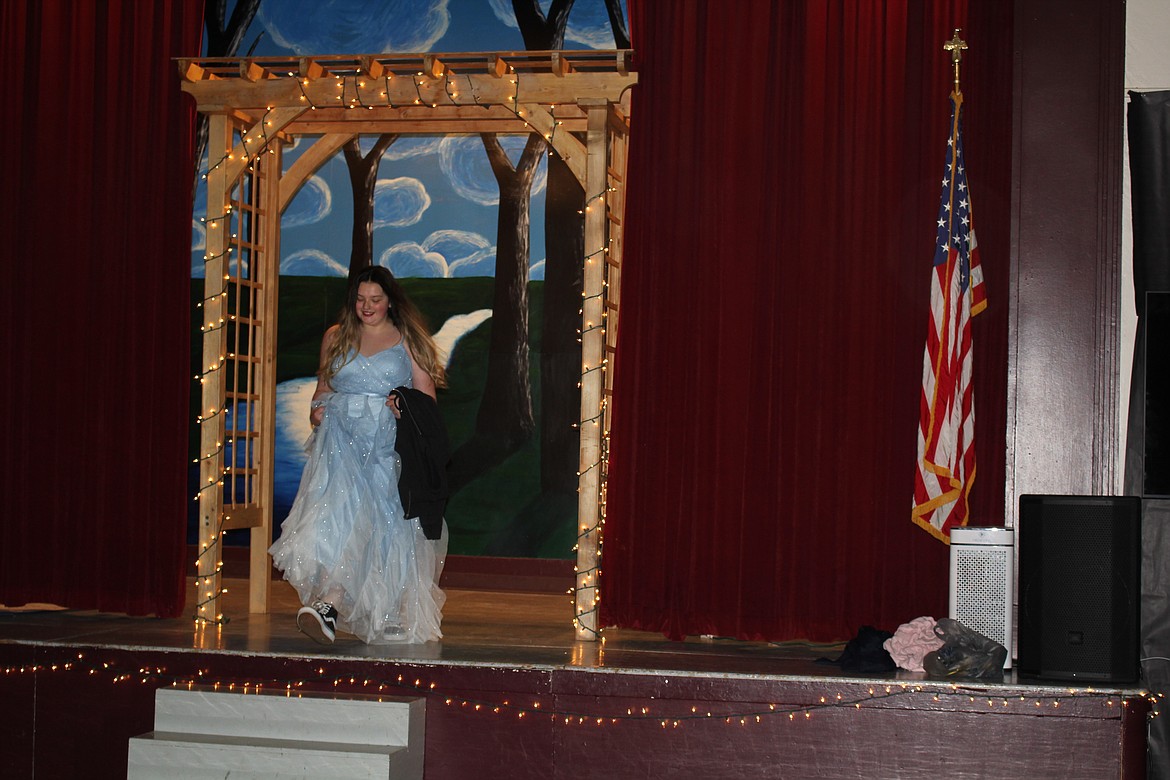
(589, 486)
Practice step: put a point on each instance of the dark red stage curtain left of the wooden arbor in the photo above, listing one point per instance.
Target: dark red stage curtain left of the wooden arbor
(98, 146)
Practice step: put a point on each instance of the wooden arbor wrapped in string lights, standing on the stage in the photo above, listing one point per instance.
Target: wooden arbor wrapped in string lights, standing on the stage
(577, 100)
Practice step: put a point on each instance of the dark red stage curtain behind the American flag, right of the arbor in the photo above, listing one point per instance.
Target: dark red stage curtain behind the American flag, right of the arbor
(784, 180)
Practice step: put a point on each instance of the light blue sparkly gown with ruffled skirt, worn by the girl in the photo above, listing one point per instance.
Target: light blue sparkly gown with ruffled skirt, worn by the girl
(346, 540)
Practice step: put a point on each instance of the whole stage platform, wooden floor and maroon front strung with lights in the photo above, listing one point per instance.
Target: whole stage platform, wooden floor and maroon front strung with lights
(511, 694)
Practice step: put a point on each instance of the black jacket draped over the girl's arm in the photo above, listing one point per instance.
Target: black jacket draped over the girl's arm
(425, 452)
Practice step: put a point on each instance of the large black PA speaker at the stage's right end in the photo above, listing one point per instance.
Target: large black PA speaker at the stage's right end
(1079, 588)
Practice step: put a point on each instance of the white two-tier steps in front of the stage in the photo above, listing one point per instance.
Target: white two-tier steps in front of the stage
(209, 734)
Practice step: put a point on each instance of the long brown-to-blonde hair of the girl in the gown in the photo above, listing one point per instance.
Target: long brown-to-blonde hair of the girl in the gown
(403, 313)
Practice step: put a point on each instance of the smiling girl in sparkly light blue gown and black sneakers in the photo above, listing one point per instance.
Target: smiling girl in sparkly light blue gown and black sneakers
(357, 563)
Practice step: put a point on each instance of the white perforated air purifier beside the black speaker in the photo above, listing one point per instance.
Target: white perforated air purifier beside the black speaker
(981, 583)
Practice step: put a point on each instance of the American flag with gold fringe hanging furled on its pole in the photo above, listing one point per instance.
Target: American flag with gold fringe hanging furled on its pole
(946, 468)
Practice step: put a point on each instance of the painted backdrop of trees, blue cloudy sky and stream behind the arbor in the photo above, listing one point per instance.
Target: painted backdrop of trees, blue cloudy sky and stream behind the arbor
(437, 220)
